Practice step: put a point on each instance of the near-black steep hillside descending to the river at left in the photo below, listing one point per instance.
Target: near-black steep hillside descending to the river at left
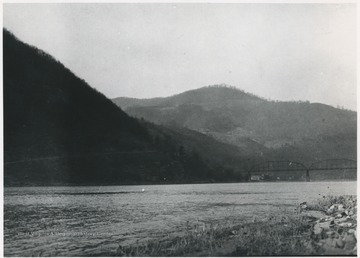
(58, 130)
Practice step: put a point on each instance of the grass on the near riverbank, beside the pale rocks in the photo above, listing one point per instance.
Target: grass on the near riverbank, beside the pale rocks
(283, 233)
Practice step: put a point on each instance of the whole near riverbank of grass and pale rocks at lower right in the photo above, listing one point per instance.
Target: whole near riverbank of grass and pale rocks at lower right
(325, 227)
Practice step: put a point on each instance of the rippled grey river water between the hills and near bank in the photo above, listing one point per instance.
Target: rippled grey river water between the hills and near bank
(84, 221)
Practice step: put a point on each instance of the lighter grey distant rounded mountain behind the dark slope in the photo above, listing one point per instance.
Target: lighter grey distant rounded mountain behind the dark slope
(283, 130)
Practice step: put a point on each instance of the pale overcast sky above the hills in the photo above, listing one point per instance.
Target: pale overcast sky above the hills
(276, 51)
